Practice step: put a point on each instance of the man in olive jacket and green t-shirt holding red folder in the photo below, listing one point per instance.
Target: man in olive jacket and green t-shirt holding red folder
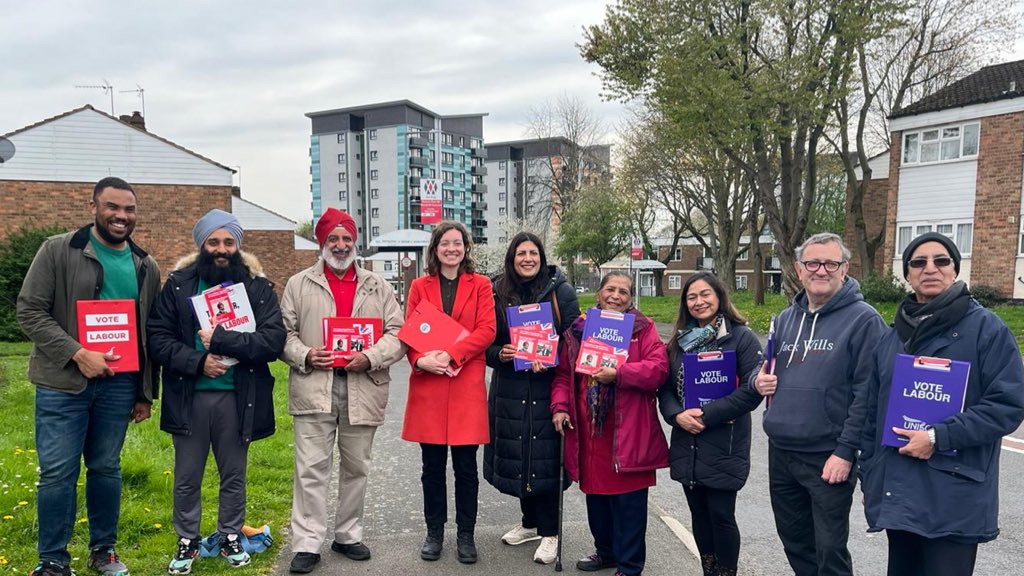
(82, 406)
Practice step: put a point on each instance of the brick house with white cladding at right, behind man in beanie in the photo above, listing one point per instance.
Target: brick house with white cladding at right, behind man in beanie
(957, 168)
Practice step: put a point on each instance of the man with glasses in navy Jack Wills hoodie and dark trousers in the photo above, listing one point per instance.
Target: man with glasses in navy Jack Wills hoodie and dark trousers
(818, 384)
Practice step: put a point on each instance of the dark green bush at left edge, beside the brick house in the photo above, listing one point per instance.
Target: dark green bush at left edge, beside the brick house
(17, 253)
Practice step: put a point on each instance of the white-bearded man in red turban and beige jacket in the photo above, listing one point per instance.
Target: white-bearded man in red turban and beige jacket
(344, 405)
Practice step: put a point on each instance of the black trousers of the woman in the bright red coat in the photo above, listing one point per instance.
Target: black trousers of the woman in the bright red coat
(435, 479)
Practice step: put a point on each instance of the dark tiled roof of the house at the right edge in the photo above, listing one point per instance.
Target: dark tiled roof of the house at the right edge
(997, 83)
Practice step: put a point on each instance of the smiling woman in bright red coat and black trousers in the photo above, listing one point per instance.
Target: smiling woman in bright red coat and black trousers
(448, 412)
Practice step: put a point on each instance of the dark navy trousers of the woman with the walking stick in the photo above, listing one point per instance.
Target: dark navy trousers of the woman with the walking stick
(619, 524)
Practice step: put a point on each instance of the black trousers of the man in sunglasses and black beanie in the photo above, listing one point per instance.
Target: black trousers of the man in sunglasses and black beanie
(911, 555)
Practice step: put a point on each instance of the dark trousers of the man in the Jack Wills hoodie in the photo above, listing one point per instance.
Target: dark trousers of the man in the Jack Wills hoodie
(813, 517)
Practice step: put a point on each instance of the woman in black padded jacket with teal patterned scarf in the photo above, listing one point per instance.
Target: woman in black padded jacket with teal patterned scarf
(710, 454)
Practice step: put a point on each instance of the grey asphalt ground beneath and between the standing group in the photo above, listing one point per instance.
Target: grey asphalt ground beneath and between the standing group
(395, 528)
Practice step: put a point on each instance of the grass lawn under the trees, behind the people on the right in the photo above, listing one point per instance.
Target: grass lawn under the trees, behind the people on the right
(665, 309)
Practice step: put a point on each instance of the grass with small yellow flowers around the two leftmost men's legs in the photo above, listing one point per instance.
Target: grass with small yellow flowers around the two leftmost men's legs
(147, 538)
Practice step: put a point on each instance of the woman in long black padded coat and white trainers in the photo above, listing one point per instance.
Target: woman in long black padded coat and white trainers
(523, 458)
